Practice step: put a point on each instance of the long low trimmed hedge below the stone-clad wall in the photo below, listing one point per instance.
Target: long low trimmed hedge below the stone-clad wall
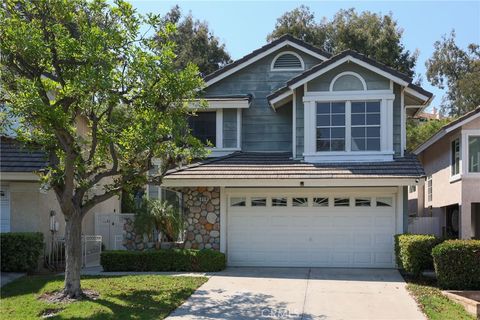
(163, 260)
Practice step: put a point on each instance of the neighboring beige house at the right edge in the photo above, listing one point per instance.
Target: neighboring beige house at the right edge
(451, 159)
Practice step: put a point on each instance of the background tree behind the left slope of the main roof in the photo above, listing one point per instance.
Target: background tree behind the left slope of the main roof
(195, 43)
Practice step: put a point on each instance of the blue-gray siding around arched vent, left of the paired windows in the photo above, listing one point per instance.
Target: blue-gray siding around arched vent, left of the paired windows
(263, 129)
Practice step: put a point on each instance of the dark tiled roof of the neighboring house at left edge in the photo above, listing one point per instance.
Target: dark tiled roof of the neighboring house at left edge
(16, 157)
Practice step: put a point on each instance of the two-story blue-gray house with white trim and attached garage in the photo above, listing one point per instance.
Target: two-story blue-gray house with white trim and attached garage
(308, 165)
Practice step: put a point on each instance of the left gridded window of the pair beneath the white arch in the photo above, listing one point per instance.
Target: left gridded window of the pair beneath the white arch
(331, 126)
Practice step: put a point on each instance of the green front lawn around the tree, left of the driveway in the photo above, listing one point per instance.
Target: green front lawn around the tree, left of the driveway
(126, 297)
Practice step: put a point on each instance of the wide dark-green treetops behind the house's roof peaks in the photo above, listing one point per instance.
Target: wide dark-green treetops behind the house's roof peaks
(372, 34)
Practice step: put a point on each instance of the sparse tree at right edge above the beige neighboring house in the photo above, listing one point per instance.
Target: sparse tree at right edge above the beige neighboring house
(458, 70)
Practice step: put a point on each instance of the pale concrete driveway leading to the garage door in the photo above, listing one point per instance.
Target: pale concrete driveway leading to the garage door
(301, 293)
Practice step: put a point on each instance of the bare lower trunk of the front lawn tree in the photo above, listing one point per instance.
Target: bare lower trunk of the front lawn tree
(73, 255)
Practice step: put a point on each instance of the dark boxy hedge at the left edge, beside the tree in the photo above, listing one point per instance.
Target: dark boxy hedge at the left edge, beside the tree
(21, 251)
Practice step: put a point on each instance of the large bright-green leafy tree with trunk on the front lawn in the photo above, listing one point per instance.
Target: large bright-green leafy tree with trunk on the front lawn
(71, 65)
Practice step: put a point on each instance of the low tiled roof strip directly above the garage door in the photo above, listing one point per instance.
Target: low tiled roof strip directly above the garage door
(251, 165)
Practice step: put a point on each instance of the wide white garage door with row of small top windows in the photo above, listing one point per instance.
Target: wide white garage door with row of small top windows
(323, 230)
